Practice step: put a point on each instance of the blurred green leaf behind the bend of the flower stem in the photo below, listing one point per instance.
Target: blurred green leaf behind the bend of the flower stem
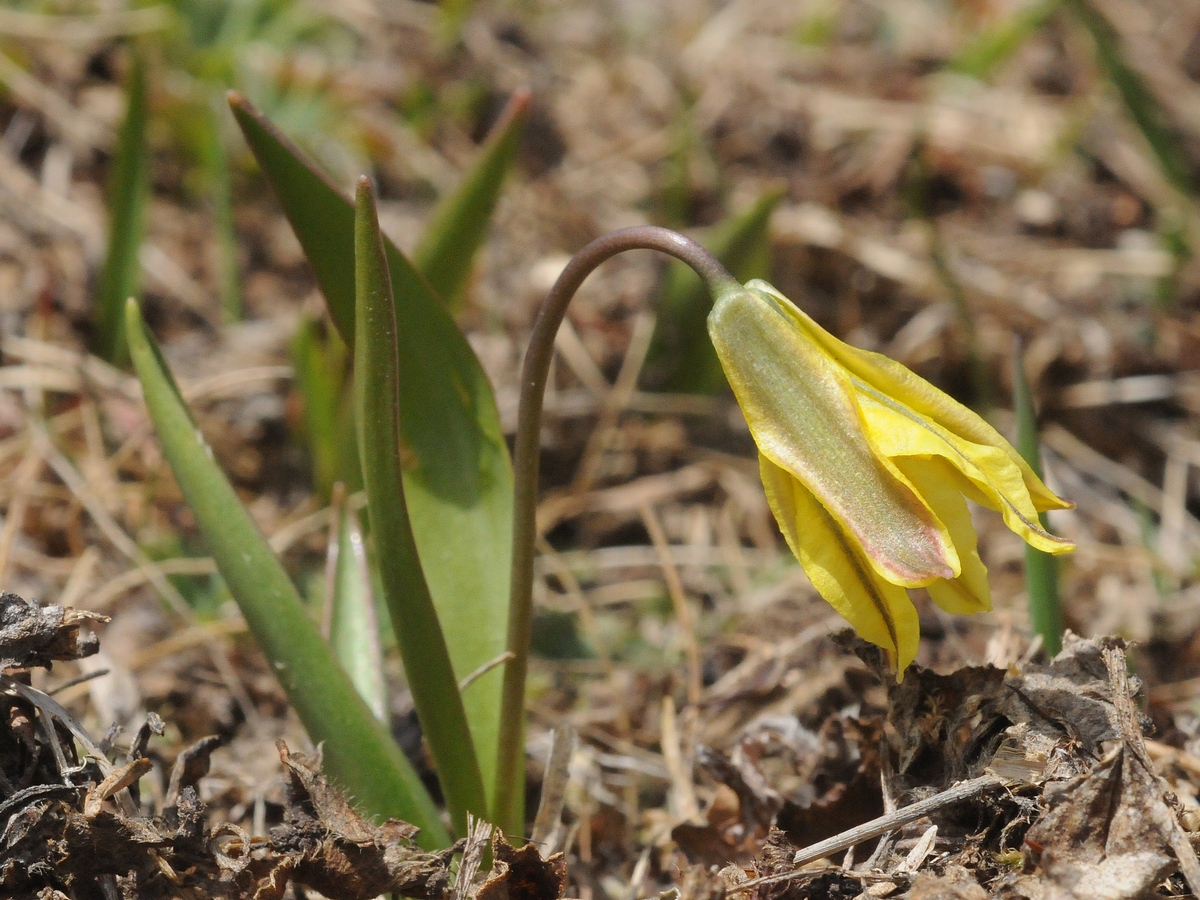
(681, 356)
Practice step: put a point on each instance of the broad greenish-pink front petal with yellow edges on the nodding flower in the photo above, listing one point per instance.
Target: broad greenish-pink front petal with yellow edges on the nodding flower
(802, 412)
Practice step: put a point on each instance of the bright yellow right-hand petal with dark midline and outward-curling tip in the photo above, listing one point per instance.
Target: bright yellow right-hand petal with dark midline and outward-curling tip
(898, 431)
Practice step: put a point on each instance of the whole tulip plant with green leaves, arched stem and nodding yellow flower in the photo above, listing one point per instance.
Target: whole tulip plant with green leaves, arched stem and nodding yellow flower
(866, 467)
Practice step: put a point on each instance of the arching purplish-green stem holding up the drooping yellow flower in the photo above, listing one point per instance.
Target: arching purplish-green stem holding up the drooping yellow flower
(508, 809)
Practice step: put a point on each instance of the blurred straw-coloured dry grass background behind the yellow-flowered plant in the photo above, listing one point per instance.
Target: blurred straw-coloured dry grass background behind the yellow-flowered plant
(945, 182)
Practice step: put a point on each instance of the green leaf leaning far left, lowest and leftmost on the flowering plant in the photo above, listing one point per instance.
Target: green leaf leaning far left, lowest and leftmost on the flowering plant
(359, 753)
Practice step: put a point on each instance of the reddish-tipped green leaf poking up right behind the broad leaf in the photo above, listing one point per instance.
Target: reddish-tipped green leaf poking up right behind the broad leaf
(459, 227)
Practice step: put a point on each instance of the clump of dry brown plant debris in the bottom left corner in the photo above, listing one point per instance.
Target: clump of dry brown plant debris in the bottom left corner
(73, 821)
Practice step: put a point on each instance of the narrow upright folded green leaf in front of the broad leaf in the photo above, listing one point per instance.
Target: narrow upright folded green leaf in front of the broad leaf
(422, 644)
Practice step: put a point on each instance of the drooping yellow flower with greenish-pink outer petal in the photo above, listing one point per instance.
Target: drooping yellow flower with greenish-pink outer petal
(867, 467)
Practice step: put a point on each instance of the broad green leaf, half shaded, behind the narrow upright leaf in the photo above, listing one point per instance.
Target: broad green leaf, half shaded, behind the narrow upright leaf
(458, 477)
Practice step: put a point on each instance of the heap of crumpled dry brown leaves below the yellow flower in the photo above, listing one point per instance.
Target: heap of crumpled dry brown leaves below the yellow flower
(1029, 785)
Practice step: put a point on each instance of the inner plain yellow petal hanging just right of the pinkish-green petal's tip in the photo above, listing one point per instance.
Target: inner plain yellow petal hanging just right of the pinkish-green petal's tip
(937, 483)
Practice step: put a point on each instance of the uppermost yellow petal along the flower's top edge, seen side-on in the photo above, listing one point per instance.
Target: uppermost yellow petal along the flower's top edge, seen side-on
(892, 380)
